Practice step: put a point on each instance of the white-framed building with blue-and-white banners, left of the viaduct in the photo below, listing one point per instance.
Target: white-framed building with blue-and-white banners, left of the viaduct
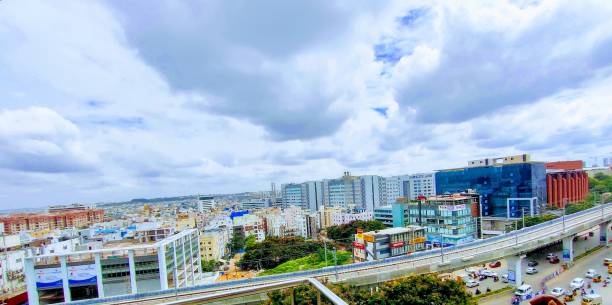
(115, 269)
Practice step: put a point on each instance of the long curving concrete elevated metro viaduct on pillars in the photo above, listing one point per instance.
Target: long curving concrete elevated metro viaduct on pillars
(512, 246)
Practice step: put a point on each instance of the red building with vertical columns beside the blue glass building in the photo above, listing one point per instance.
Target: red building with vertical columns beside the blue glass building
(566, 182)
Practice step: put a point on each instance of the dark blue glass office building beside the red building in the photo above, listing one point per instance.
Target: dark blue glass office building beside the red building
(496, 184)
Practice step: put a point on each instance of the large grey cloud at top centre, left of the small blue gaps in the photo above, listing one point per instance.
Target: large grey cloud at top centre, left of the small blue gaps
(232, 53)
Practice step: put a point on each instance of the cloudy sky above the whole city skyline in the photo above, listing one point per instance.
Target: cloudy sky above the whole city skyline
(112, 100)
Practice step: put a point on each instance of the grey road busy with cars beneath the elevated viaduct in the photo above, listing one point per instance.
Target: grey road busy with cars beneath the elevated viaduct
(592, 261)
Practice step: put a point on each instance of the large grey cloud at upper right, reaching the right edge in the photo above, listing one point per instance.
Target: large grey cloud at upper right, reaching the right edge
(482, 70)
